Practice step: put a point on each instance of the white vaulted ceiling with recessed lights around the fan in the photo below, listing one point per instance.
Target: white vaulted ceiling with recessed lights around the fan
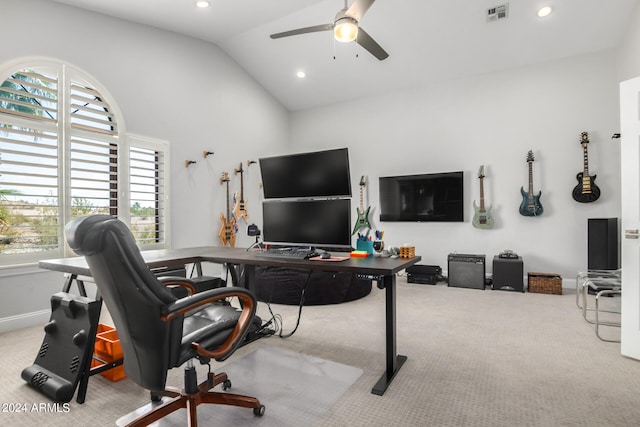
(427, 40)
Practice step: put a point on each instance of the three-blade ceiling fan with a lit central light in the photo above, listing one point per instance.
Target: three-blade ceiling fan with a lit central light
(345, 28)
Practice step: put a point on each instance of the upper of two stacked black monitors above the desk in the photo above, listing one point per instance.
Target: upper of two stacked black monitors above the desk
(315, 174)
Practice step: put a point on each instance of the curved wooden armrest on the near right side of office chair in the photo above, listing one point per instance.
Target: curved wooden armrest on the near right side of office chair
(187, 304)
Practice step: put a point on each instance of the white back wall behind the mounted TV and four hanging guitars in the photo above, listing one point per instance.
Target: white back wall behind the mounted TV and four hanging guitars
(493, 120)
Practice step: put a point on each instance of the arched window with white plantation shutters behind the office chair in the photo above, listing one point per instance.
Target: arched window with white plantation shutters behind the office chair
(63, 154)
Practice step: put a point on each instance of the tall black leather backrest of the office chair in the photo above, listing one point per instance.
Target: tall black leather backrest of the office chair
(132, 294)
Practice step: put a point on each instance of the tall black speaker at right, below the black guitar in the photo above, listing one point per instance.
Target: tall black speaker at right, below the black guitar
(603, 244)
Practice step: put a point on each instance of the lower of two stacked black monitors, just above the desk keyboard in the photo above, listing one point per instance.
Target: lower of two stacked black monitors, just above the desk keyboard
(322, 224)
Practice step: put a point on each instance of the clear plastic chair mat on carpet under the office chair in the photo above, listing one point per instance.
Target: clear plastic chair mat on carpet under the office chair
(295, 388)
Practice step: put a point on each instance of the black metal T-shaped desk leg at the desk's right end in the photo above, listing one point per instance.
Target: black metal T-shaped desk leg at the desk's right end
(393, 361)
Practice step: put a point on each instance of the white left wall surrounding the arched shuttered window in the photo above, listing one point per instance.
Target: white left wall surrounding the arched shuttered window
(169, 87)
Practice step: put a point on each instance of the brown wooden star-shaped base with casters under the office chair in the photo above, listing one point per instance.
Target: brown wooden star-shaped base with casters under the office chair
(179, 399)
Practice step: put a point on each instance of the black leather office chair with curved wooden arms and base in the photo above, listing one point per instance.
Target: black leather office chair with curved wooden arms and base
(158, 331)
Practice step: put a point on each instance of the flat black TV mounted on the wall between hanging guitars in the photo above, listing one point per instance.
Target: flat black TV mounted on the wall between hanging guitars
(428, 197)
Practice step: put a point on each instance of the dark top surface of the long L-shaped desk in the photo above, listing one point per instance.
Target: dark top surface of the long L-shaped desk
(225, 255)
